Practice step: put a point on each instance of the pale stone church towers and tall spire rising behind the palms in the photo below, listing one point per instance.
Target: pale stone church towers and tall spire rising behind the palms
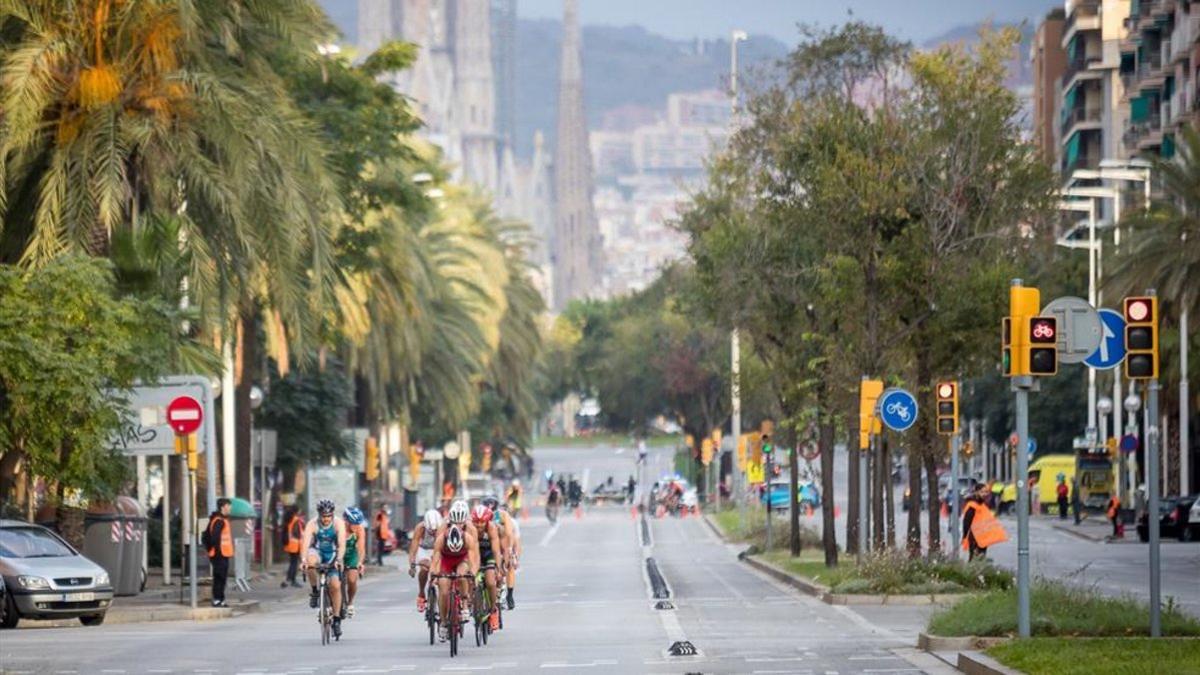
(464, 87)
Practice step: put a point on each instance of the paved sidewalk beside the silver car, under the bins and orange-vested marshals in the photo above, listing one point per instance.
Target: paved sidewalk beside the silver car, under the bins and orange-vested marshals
(161, 602)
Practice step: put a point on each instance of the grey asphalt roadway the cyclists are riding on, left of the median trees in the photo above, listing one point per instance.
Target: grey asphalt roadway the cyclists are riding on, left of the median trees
(584, 606)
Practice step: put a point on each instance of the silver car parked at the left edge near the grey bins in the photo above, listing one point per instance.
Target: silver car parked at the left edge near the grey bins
(46, 578)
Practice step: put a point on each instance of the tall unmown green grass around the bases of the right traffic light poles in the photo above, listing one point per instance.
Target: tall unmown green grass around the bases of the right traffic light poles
(1058, 610)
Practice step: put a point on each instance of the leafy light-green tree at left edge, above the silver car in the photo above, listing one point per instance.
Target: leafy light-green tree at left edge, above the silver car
(70, 350)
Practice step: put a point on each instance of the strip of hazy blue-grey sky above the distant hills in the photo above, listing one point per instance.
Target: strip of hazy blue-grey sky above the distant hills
(911, 20)
